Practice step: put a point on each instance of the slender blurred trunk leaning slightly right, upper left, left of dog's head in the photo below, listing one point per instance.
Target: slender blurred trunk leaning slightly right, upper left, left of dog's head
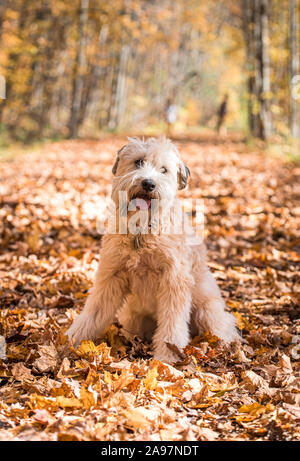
(78, 79)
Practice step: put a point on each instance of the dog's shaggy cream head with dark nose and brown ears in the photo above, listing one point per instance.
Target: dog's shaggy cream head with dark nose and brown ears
(148, 170)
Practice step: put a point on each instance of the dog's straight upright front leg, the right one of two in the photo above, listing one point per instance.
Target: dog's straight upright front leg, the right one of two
(173, 314)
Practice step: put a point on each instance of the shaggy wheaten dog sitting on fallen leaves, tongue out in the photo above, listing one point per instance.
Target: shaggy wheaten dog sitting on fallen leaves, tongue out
(156, 283)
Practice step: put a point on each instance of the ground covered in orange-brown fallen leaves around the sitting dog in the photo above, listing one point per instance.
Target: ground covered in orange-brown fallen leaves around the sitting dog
(115, 390)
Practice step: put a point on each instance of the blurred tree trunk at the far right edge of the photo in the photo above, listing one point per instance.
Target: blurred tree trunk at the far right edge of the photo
(294, 69)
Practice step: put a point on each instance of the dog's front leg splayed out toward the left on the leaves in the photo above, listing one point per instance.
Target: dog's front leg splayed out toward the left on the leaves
(105, 299)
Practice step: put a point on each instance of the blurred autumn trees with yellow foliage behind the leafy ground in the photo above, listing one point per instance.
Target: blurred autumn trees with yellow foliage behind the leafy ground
(79, 68)
